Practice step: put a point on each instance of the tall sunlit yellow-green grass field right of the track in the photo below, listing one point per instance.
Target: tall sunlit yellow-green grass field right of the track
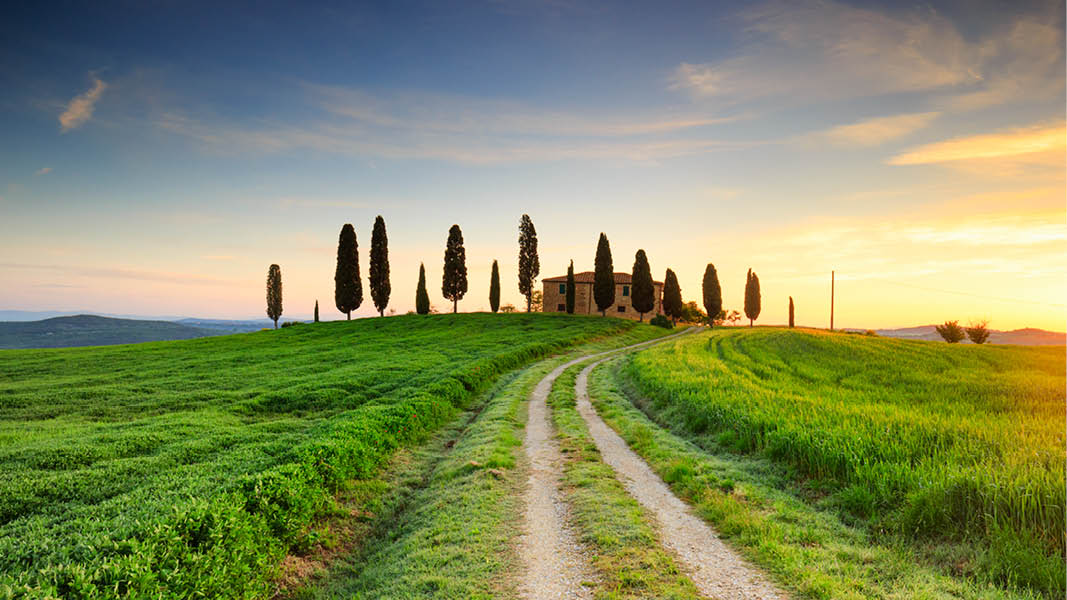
(955, 452)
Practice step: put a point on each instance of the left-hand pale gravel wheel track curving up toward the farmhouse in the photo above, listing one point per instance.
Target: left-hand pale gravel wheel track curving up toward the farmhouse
(556, 563)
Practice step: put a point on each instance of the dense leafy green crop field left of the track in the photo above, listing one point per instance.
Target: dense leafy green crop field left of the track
(167, 468)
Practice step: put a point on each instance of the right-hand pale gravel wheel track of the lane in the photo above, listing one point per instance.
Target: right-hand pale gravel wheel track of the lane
(715, 569)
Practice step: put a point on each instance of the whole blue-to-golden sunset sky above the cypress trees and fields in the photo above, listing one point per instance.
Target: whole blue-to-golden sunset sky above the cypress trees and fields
(157, 157)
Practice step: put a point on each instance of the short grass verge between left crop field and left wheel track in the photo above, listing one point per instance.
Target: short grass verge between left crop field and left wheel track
(452, 535)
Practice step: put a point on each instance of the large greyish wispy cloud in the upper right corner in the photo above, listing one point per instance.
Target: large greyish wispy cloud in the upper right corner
(819, 51)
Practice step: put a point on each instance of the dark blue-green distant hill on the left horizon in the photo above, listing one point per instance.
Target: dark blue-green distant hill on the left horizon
(92, 330)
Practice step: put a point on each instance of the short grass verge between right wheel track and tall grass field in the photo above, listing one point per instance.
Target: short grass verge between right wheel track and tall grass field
(762, 510)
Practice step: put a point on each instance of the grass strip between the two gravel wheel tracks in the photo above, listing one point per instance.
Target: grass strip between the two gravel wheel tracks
(620, 533)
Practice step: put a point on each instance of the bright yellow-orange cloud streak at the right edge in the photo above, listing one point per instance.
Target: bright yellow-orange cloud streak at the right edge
(1013, 144)
